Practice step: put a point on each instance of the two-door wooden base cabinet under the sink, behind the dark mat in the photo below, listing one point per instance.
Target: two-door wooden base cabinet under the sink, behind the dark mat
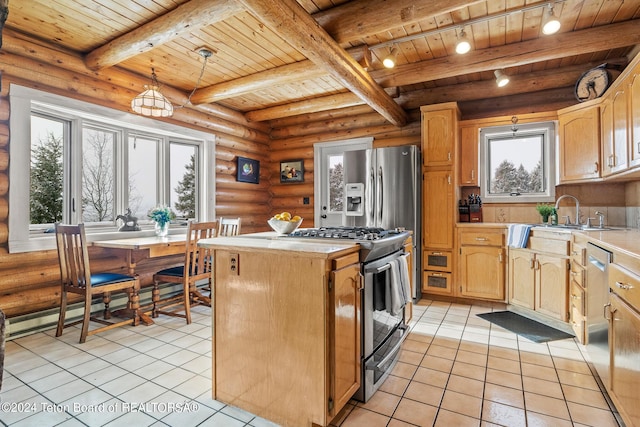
(538, 275)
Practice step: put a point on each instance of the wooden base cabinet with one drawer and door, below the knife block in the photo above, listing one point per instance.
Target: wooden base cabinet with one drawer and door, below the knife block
(482, 263)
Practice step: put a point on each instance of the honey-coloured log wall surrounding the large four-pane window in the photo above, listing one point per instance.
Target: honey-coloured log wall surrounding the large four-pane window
(30, 281)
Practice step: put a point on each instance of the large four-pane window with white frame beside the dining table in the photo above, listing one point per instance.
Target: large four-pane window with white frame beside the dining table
(77, 162)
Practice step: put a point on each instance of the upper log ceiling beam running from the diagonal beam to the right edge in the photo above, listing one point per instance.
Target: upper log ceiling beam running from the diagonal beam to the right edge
(547, 48)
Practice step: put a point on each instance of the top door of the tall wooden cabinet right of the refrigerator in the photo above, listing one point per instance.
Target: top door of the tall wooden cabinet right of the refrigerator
(438, 137)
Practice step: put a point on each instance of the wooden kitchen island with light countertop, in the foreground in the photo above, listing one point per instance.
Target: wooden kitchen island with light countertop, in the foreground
(286, 326)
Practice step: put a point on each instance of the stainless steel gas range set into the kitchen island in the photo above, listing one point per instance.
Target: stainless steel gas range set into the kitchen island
(383, 327)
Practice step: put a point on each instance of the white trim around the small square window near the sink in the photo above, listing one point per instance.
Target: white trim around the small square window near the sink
(549, 129)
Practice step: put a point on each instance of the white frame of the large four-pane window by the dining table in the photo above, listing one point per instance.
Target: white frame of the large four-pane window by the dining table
(25, 100)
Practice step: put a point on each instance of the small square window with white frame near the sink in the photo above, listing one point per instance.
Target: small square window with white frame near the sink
(518, 163)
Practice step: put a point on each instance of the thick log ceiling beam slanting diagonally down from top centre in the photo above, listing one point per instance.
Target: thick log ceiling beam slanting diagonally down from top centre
(294, 24)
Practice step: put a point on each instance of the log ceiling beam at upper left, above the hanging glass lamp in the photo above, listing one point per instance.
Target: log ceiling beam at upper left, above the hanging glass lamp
(183, 19)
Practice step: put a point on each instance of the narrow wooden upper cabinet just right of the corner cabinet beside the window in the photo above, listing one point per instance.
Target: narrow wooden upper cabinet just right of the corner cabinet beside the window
(613, 120)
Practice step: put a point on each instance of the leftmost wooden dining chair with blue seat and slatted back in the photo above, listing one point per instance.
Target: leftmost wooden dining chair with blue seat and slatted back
(76, 277)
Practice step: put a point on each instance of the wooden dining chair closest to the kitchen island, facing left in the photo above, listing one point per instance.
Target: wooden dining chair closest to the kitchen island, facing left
(196, 268)
